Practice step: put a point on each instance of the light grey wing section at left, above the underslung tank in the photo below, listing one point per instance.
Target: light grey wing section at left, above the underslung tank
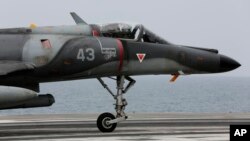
(13, 66)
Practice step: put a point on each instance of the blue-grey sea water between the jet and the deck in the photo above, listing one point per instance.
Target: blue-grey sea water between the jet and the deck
(149, 94)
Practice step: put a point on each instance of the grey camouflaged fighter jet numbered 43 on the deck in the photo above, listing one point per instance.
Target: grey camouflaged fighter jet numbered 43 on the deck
(33, 55)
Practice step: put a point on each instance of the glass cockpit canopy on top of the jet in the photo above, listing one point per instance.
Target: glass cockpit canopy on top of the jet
(126, 31)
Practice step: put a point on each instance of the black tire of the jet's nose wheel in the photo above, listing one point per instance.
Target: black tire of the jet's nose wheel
(102, 122)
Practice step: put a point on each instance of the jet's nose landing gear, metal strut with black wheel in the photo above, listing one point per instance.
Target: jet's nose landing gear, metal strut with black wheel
(107, 122)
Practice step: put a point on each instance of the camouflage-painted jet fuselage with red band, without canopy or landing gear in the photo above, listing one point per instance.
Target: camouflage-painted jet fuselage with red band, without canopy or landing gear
(72, 52)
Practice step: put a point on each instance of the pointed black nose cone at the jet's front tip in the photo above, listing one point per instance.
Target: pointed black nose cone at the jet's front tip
(228, 64)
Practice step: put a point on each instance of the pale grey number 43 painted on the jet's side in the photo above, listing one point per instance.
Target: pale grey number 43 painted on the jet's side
(88, 54)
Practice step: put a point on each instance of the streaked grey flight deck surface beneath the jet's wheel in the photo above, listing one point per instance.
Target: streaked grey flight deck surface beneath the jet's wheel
(139, 126)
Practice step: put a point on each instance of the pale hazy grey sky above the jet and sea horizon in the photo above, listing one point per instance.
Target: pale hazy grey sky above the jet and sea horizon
(219, 24)
